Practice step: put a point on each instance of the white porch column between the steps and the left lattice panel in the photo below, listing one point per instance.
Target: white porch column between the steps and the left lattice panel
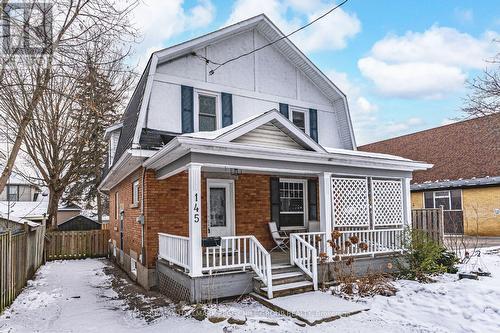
(325, 204)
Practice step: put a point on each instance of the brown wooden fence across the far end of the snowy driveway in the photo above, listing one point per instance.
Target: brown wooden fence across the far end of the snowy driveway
(77, 244)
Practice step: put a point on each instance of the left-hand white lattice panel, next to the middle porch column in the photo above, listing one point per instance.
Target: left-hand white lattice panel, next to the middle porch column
(350, 201)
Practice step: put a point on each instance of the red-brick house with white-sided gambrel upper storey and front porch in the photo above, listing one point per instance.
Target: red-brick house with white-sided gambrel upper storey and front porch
(204, 160)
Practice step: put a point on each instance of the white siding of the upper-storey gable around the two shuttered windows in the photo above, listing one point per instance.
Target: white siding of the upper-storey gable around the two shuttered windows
(258, 83)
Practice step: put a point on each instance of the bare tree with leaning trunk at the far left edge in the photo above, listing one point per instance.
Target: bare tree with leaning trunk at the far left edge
(68, 28)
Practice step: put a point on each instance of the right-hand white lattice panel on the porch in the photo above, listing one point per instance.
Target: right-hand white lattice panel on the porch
(387, 202)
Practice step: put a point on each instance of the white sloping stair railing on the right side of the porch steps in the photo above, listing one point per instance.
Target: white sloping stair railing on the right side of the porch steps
(305, 256)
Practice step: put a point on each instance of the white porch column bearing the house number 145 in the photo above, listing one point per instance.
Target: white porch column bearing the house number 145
(195, 250)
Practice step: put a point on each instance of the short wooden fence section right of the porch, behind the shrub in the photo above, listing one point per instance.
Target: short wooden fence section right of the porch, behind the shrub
(429, 220)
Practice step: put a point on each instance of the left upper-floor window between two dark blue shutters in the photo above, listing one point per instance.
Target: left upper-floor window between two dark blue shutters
(207, 105)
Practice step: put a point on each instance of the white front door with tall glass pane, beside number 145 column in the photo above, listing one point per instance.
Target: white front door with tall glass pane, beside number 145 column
(220, 207)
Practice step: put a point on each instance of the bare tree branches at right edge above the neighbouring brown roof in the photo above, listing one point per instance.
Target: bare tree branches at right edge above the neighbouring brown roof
(485, 96)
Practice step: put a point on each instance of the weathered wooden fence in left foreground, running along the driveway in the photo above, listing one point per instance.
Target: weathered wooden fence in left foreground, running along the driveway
(20, 257)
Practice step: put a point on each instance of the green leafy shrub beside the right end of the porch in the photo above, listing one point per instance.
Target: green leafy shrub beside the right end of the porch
(425, 258)
